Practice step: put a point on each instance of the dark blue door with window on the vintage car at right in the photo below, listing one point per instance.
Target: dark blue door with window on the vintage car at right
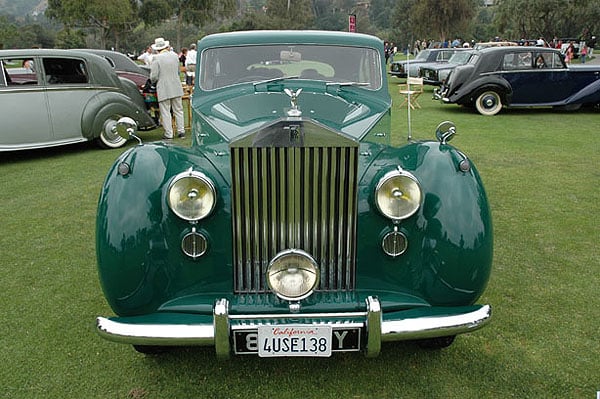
(535, 83)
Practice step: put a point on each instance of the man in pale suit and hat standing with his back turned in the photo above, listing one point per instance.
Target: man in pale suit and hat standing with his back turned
(164, 72)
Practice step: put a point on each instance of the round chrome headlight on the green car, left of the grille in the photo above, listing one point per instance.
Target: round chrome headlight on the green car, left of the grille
(192, 195)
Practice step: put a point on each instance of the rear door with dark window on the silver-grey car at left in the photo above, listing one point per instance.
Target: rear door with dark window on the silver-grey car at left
(69, 91)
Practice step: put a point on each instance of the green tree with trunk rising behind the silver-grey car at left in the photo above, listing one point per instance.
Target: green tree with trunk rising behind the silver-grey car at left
(112, 18)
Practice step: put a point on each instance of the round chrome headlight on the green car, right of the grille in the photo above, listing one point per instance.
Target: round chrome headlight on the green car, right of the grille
(398, 195)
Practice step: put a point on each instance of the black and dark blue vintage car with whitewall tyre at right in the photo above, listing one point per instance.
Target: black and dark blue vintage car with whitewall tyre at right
(521, 77)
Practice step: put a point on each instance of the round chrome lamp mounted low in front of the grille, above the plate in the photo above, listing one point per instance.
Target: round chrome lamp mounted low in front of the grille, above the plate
(293, 275)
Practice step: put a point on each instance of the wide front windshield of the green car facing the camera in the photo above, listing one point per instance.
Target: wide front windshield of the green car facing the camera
(227, 66)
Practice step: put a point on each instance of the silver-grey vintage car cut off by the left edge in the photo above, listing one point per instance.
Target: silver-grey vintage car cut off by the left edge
(56, 97)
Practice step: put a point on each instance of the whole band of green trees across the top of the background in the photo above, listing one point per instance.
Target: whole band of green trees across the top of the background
(133, 24)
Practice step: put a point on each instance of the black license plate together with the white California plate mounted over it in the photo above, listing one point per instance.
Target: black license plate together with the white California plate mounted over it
(306, 340)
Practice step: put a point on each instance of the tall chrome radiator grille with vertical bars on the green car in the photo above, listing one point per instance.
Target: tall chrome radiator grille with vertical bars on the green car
(294, 197)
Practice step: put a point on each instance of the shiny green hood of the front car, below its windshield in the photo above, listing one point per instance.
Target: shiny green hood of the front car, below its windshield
(342, 109)
